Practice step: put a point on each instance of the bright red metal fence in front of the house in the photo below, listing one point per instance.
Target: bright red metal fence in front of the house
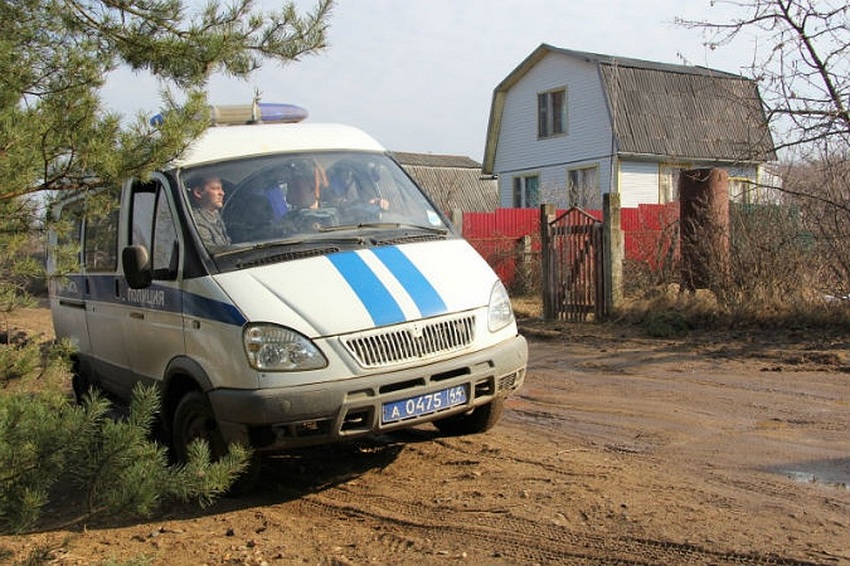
(507, 236)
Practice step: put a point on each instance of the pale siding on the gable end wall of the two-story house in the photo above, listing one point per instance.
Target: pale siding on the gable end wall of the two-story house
(588, 137)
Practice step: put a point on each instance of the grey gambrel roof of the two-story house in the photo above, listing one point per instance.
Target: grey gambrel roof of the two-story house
(662, 109)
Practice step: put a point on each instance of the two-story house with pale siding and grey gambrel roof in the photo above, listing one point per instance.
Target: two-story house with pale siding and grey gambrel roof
(567, 126)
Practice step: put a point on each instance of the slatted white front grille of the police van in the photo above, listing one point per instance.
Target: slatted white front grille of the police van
(416, 341)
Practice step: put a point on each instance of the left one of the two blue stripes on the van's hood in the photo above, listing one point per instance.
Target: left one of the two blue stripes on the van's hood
(379, 303)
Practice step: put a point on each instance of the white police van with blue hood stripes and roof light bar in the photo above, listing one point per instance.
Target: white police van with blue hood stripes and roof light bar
(359, 313)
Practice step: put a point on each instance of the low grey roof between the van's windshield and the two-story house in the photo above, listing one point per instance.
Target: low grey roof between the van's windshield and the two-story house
(452, 181)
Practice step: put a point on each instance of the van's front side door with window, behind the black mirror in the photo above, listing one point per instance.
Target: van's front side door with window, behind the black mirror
(153, 328)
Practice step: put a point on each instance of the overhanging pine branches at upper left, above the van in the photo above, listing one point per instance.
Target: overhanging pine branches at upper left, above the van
(55, 56)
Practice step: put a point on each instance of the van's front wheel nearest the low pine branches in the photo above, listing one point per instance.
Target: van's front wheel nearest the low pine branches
(194, 420)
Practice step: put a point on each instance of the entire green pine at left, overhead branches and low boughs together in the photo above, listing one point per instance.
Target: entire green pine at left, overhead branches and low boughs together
(56, 136)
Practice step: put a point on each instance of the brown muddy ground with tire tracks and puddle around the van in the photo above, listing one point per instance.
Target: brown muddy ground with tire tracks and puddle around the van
(721, 448)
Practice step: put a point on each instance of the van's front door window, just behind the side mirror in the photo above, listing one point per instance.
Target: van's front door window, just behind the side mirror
(153, 227)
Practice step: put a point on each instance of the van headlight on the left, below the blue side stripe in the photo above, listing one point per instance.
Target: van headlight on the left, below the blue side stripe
(274, 348)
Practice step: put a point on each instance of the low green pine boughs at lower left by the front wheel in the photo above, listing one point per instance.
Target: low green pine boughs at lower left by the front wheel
(114, 463)
